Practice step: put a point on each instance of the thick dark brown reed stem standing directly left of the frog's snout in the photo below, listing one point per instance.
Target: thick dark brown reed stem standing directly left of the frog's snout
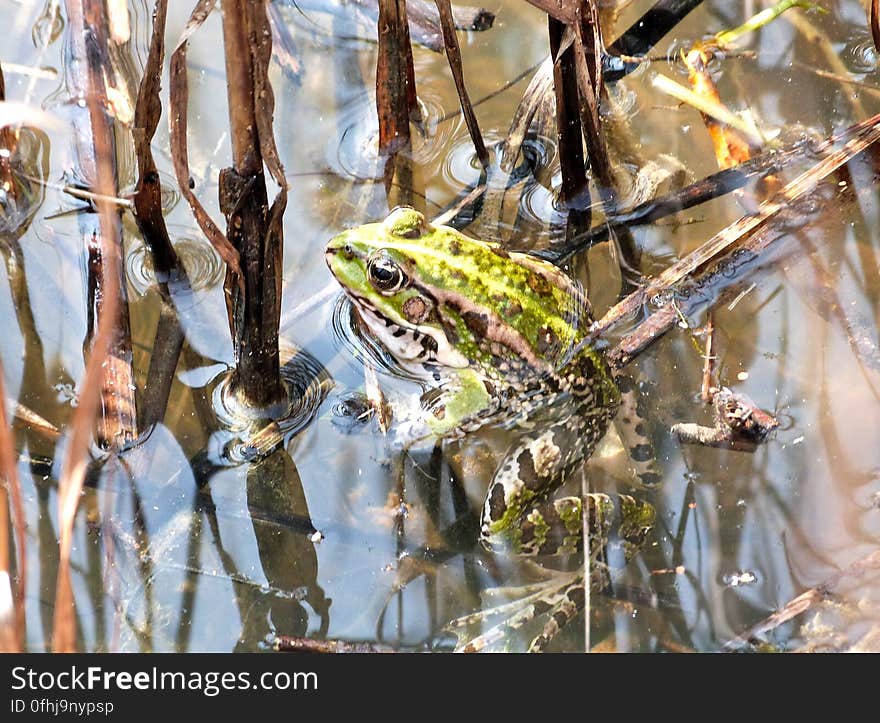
(253, 227)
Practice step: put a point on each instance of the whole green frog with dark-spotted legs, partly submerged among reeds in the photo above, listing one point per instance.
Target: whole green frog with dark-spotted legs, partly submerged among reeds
(500, 334)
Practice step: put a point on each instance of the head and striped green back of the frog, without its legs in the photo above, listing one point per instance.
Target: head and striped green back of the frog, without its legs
(431, 294)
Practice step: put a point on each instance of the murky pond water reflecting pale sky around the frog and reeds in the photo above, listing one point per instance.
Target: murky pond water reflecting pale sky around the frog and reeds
(183, 544)
